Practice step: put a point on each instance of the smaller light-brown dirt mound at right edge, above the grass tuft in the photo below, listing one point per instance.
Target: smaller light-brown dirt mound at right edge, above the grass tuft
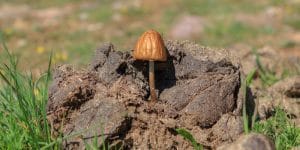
(284, 94)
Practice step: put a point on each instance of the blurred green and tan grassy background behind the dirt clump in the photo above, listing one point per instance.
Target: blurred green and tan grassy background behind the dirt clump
(73, 29)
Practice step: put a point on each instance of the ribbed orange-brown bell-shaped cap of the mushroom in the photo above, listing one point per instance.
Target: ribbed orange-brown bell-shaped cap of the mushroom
(150, 46)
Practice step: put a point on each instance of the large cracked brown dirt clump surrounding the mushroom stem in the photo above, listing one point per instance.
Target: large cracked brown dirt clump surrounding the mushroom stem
(198, 89)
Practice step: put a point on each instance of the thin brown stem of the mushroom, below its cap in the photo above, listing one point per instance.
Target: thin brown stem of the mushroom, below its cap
(152, 81)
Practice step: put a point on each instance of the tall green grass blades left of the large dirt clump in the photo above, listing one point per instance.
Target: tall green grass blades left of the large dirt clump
(23, 101)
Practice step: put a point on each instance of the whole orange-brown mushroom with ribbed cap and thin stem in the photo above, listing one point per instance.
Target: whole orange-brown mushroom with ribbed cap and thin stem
(150, 47)
